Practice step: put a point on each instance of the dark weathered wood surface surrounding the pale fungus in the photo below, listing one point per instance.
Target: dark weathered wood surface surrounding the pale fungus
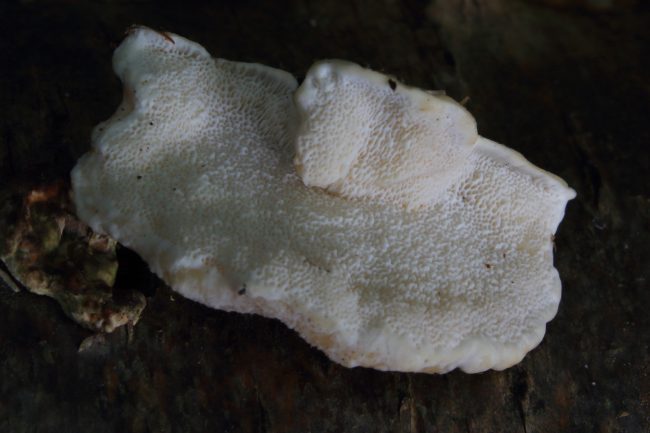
(567, 85)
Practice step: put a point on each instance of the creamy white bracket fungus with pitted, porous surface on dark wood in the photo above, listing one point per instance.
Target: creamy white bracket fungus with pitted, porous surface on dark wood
(367, 215)
